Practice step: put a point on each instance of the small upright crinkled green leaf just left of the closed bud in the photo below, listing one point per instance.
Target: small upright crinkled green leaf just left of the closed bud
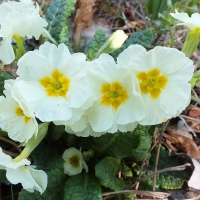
(96, 43)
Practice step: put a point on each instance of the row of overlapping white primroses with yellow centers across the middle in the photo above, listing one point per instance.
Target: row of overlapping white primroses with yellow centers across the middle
(98, 96)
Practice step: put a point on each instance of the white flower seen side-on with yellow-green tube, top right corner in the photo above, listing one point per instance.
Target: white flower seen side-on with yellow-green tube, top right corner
(193, 36)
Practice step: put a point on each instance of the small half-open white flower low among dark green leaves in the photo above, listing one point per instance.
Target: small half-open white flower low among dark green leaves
(74, 162)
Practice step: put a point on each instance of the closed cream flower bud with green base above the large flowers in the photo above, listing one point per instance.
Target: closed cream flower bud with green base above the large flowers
(115, 41)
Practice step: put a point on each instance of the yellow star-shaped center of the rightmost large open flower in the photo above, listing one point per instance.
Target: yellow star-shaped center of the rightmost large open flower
(152, 82)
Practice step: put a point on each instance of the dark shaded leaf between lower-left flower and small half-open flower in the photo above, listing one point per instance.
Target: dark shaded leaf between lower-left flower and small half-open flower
(47, 156)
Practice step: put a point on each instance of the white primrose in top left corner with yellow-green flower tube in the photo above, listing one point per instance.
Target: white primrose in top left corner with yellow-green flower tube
(17, 24)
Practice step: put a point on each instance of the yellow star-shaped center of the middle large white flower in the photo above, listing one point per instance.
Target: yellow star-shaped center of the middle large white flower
(113, 94)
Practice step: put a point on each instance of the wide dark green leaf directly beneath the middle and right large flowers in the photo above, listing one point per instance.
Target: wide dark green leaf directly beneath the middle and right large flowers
(121, 145)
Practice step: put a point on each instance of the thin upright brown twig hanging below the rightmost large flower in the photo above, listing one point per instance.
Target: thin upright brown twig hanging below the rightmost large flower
(164, 125)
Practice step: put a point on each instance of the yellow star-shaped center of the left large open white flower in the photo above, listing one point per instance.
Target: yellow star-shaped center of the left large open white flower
(56, 85)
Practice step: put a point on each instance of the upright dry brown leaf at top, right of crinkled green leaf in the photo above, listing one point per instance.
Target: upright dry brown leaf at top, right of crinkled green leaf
(84, 15)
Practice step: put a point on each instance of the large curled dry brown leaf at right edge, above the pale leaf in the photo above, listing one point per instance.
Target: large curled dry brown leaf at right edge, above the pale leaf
(177, 142)
